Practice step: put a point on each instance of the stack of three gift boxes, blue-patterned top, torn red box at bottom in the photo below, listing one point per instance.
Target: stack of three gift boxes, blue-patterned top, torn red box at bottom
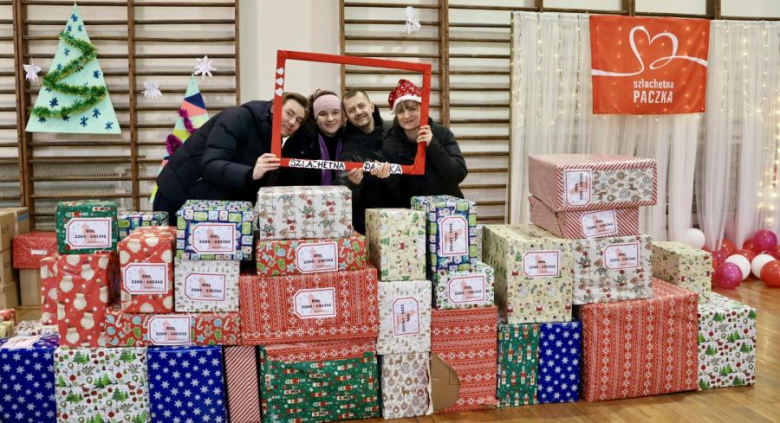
(463, 326)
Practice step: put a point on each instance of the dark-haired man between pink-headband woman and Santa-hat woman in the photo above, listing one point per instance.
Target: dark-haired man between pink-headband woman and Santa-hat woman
(363, 139)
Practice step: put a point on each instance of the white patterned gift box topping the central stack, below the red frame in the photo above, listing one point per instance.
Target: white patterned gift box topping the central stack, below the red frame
(302, 212)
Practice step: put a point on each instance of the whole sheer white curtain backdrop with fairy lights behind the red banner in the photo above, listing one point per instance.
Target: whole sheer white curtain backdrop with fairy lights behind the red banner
(552, 114)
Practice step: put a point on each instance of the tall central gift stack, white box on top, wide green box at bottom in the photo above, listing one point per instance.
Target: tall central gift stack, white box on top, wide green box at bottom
(312, 307)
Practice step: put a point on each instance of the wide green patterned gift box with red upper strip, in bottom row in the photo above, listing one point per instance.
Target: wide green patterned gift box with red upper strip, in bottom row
(319, 382)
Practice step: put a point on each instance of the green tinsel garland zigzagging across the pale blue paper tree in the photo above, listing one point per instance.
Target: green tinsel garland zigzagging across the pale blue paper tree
(90, 96)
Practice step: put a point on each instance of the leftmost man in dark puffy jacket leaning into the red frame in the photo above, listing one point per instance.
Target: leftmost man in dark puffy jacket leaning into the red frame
(228, 157)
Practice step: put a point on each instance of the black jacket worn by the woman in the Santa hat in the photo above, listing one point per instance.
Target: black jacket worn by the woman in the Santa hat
(445, 167)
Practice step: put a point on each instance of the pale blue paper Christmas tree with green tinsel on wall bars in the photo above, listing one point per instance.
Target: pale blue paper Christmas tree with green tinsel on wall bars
(74, 97)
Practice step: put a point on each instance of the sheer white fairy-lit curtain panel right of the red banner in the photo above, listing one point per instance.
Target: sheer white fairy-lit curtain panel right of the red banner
(737, 174)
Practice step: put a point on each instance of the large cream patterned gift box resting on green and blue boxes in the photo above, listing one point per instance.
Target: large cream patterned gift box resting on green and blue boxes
(533, 279)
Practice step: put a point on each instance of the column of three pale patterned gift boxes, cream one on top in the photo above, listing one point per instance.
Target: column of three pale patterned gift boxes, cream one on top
(396, 245)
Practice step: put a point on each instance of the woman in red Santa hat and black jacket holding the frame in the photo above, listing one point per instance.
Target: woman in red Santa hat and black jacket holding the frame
(445, 167)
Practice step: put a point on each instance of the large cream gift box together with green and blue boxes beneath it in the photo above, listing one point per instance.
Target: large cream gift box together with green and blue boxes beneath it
(538, 344)
